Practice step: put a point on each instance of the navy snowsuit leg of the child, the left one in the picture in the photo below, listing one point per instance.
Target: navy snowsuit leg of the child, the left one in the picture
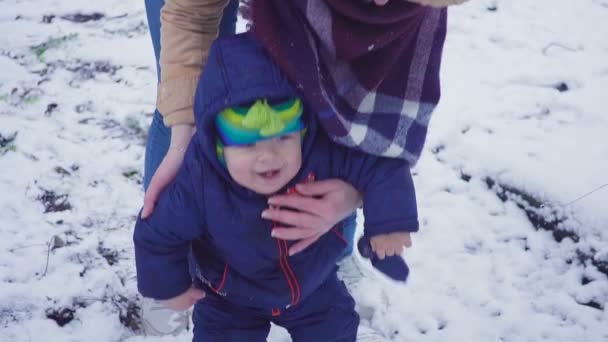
(215, 319)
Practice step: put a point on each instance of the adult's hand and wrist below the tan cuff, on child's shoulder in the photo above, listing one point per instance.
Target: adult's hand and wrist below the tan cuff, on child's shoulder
(167, 170)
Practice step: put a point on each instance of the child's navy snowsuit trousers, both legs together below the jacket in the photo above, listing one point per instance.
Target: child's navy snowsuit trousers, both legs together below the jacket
(327, 315)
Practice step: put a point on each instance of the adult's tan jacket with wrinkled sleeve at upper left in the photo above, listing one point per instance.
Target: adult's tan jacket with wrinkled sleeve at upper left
(188, 27)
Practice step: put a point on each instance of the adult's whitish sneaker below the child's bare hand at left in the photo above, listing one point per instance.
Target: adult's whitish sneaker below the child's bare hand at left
(158, 320)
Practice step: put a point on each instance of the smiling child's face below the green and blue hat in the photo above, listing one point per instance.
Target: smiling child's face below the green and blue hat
(266, 166)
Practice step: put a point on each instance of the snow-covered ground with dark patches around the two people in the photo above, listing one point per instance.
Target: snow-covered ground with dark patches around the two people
(510, 247)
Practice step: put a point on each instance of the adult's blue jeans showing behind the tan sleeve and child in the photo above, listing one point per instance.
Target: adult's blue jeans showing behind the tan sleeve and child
(159, 136)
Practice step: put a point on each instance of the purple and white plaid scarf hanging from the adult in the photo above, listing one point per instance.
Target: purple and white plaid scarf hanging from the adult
(371, 73)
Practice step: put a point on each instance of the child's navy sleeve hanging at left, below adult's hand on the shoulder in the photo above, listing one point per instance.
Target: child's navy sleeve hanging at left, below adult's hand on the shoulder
(162, 241)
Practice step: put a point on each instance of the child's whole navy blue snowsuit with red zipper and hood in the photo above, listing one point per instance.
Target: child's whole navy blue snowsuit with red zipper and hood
(248, 276)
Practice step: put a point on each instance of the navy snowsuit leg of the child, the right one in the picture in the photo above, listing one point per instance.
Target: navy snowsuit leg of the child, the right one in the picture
(327, 315)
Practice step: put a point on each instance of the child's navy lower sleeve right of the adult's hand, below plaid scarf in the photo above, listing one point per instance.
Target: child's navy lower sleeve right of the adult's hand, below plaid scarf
(389, 197)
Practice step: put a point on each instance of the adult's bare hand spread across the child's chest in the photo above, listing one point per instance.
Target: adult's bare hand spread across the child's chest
(320, 205)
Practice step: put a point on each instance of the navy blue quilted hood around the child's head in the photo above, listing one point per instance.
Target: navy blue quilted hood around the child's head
(238, 71)
